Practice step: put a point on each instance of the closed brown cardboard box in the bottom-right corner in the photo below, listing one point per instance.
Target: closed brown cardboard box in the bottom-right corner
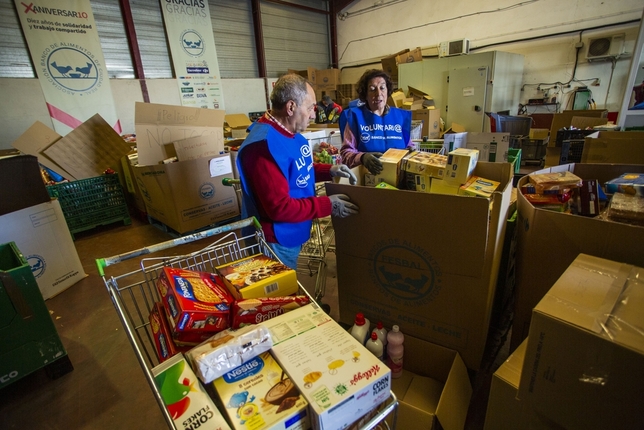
(585, 355)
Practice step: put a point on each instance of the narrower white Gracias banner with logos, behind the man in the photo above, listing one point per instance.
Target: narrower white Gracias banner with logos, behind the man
(194, 56)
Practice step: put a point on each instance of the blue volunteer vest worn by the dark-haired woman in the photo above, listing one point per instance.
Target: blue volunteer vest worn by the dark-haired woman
(377, 133)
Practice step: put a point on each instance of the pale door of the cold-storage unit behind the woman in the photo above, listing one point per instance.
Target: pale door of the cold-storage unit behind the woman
(466, 95)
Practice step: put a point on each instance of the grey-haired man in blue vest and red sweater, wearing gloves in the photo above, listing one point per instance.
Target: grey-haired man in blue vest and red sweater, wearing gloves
(278, 175)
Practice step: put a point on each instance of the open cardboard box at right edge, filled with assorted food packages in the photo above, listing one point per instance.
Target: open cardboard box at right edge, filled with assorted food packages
(548, 242)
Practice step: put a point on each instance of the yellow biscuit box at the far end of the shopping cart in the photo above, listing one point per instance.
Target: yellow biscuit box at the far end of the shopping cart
(258, 276)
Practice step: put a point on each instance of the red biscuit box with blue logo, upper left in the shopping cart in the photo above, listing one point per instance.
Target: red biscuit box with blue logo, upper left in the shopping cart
(195, 301)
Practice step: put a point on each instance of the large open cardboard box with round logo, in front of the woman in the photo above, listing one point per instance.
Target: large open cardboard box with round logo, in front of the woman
(426, 262)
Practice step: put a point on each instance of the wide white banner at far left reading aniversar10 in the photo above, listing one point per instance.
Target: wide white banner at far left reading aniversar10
(67, 55)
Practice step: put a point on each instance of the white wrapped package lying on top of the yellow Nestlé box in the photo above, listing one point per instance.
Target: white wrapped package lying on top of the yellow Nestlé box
(227, 350)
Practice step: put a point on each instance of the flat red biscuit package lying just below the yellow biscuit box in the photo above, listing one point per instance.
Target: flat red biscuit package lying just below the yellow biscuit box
(254, 311)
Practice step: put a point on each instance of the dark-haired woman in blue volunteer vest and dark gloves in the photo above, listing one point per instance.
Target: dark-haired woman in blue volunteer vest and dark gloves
(370, 126)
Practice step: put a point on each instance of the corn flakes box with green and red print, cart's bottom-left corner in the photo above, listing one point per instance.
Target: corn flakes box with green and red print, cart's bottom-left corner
(185, 399)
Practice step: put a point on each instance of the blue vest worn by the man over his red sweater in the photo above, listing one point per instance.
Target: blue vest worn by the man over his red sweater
(293, 157)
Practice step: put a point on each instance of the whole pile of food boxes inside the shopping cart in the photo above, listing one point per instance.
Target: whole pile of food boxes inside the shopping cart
(229, 342)
